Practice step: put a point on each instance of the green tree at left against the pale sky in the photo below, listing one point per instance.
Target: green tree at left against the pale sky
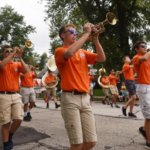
(14, 31)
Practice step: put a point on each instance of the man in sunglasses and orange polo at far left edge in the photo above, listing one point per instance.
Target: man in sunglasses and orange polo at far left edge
(10, 101)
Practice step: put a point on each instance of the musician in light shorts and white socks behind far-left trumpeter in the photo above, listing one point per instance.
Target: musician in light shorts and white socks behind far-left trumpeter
(27, 91)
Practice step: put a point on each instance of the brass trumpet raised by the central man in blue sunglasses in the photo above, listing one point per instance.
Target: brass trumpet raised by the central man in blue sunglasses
(110, 19)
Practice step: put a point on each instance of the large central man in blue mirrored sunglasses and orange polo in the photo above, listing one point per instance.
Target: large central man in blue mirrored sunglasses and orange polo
(72, 63)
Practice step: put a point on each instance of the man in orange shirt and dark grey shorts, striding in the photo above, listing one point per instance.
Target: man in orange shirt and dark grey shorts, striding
(129, 82)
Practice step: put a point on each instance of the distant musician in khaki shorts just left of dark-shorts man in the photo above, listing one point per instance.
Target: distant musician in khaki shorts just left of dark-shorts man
(113, 87)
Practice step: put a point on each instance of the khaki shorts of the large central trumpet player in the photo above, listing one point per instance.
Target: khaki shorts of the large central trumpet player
(78, 118)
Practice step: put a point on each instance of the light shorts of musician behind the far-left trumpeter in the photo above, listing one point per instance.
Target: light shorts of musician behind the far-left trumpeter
(28, 95)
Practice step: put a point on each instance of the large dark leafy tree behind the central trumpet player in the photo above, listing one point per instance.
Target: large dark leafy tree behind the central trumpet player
(133, 24)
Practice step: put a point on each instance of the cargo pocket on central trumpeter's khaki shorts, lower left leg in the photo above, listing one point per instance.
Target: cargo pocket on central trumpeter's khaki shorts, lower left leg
(71, 131)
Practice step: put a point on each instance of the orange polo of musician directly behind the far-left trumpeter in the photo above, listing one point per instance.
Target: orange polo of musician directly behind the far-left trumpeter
(27, 79)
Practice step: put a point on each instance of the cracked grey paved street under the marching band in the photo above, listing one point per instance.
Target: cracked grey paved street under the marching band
(115, 132)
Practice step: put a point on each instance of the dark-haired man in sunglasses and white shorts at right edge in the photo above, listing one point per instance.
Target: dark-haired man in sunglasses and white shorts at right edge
(141, 63)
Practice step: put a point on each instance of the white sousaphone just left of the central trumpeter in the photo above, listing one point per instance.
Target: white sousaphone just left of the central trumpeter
(50, 66)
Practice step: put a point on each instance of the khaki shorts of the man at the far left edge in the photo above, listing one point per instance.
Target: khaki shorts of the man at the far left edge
(11, 107)
